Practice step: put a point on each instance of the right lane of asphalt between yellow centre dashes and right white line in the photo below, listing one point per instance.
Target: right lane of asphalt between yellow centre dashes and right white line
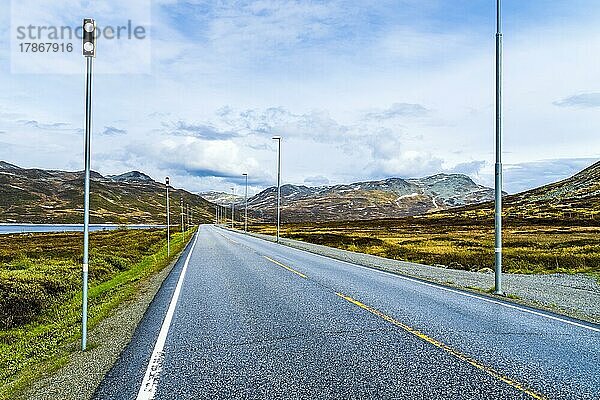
(556, 358)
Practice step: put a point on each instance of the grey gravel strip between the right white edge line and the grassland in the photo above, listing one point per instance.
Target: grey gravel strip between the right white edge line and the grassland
(576, 296)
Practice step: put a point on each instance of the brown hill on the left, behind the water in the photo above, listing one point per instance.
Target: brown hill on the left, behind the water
(47, 196)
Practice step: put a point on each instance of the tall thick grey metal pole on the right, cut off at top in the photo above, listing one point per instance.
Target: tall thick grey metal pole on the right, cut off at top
(498, 167)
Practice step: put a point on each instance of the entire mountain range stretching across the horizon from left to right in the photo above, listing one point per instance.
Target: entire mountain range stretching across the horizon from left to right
(51, 196)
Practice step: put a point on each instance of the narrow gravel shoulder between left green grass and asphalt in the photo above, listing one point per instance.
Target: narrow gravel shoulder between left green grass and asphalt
(80, 377)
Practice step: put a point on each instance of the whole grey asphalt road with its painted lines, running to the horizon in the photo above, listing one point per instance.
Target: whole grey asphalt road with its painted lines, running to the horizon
(249, 319)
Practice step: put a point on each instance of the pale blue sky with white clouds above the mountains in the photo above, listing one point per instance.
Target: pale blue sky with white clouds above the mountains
(358, 90)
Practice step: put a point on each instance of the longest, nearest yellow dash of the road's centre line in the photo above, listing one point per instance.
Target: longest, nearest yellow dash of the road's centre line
(445, 347)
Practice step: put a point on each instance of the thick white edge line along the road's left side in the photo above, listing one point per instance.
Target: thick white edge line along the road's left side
(149, 384)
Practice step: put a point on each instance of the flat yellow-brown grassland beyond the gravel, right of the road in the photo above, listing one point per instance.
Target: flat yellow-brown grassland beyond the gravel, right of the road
(528, 248)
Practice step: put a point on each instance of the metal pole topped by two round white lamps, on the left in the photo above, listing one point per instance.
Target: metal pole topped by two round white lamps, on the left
(89, 52)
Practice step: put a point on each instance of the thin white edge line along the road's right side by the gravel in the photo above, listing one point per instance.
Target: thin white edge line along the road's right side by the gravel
(541, 314)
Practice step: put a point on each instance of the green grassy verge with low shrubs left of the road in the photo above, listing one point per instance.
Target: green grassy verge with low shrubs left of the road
(40, 293)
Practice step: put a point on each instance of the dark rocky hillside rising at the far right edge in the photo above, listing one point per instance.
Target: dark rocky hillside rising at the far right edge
(574, 198)
